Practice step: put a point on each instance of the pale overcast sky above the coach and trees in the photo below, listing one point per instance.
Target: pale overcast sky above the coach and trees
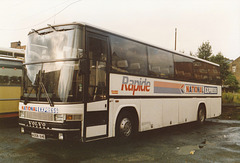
(151, 21)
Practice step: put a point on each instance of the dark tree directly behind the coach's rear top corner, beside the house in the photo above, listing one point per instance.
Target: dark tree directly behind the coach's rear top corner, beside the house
(224, 65)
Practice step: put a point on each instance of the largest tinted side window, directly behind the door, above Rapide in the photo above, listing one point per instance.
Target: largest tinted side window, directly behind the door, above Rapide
(128, 56)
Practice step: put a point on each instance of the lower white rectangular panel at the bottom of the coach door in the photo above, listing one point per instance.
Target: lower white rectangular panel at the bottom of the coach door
(96, 131)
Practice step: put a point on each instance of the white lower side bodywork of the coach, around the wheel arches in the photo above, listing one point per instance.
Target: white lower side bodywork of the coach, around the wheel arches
(157, 113)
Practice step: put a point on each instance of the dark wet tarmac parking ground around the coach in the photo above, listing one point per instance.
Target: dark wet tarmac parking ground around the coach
(212, 142)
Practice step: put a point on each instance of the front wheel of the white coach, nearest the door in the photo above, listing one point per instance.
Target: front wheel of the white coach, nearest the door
(125, 128)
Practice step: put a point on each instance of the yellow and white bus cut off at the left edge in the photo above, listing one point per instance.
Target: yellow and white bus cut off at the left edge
(10, 82)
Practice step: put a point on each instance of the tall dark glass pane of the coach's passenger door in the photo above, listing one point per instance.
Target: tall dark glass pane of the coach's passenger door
(97, 79)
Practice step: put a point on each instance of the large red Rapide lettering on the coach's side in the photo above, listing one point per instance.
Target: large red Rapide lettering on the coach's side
(135, 85)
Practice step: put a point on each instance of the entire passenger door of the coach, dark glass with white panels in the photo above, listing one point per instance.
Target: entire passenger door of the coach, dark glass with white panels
(96, 106)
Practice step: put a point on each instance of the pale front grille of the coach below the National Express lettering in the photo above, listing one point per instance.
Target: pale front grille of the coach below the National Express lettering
(39, 116)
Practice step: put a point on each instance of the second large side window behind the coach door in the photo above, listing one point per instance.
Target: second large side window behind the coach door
(160, 63)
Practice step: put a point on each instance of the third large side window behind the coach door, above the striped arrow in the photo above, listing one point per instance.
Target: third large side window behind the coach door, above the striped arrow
(183, 68)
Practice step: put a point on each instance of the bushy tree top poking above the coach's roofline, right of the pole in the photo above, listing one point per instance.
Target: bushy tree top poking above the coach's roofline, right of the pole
(205, 51)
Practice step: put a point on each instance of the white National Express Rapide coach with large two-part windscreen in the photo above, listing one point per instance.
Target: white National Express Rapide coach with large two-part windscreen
(83, 82)
